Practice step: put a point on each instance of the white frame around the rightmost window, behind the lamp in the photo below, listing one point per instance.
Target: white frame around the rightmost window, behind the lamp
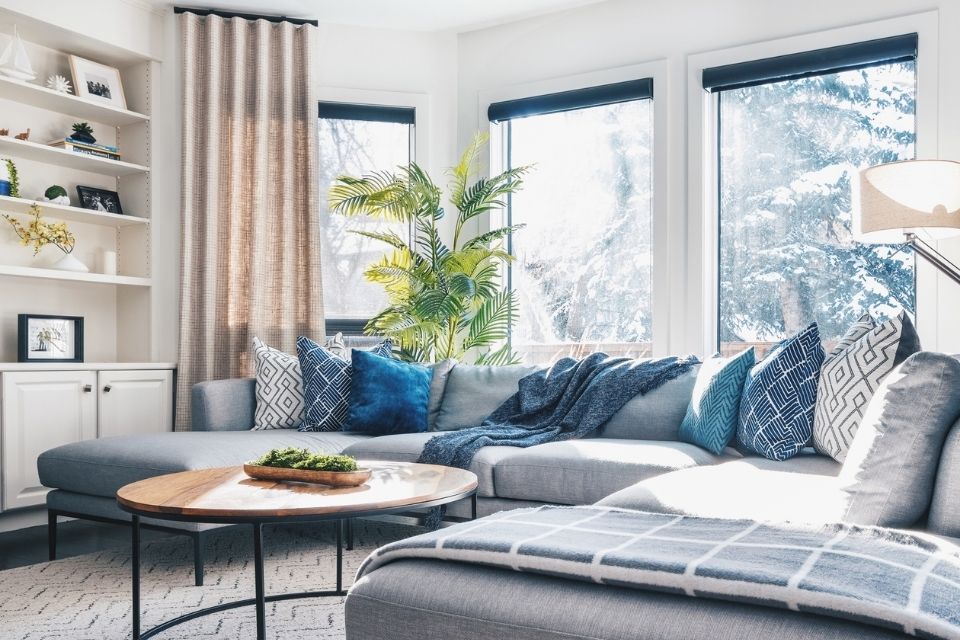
(703, 239)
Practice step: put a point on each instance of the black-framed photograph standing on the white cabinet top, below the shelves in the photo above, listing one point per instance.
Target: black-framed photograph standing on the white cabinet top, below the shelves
(49, 338)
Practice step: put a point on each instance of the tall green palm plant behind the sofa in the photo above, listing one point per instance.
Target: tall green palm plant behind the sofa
(445, 300)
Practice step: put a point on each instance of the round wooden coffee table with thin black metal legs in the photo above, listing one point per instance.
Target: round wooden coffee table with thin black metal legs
(227, 495)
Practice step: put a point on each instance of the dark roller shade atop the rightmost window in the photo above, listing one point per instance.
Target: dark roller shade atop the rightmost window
(811, 63)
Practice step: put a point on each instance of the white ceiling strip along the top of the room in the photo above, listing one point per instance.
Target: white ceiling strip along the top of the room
(412, 15)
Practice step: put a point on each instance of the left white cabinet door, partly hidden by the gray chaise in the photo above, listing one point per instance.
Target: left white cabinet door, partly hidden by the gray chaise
(42, 410)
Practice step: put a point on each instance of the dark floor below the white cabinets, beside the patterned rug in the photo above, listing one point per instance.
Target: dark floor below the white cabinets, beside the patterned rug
(76, 537)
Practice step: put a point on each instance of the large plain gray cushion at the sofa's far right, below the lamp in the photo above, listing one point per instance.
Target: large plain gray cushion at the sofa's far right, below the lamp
(890, 468)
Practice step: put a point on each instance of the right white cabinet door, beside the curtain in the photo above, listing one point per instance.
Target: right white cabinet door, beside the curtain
(135, 402)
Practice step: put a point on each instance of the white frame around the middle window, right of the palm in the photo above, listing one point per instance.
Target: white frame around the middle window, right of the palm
(657, 70)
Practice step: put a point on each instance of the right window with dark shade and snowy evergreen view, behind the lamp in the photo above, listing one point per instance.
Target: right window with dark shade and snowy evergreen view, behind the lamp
(793, 133)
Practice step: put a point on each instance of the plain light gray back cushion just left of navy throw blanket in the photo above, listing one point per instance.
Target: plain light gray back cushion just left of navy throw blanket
(473, 392)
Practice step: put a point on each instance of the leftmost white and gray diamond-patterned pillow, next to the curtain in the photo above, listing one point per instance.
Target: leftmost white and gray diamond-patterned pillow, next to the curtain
(279, 388)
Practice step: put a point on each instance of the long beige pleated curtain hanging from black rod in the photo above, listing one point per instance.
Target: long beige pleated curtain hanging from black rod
(250, 250)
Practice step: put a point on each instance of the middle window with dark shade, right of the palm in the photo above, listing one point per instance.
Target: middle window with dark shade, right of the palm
(583, 263)
